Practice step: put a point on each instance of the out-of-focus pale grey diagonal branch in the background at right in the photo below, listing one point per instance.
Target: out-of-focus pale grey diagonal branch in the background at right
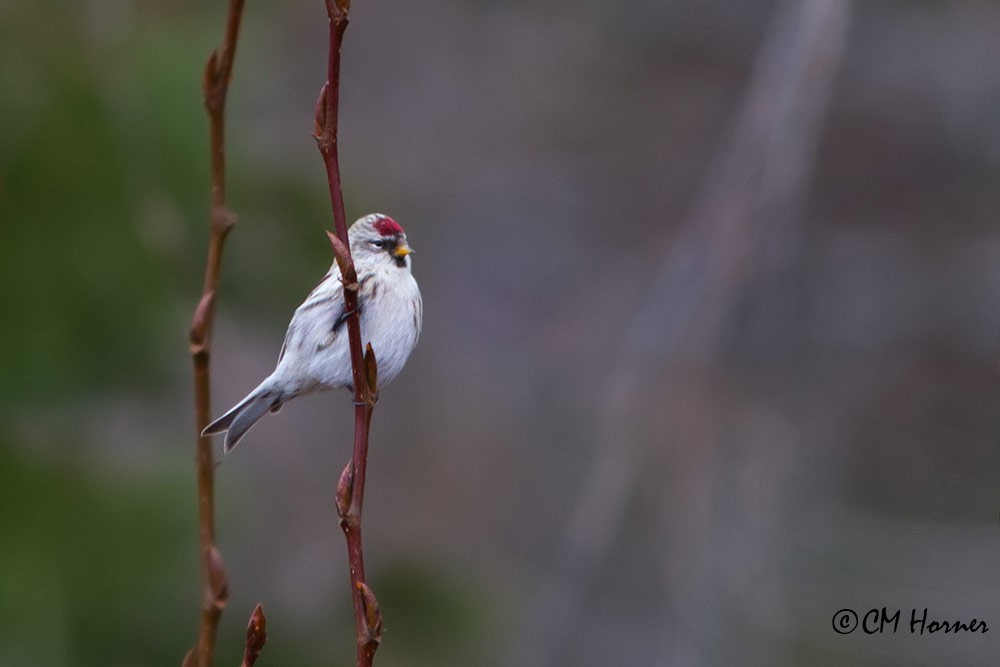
(750, 201)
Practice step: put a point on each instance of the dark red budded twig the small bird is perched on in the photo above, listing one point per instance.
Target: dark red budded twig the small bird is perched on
(351, 486)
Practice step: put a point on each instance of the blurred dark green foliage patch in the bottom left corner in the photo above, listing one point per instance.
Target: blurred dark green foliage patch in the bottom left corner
(89, 566)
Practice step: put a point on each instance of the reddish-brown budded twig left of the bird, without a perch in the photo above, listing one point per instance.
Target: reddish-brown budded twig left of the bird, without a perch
(215, 84)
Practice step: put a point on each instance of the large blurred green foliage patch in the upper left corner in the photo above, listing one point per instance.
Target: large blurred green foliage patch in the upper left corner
(76, 176)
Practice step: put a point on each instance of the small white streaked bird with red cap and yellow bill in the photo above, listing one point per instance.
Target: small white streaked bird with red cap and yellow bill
(315, 355)
